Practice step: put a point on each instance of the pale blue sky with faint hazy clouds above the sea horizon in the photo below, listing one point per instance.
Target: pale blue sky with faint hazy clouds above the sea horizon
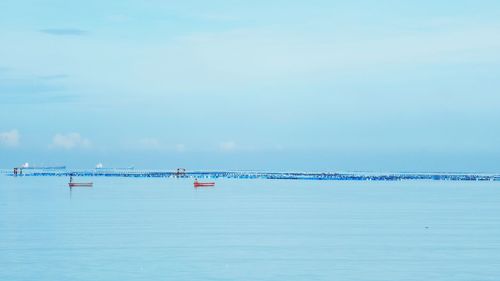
(261, 85)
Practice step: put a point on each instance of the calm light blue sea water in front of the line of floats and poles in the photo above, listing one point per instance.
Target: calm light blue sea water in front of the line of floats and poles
(163, 229)
